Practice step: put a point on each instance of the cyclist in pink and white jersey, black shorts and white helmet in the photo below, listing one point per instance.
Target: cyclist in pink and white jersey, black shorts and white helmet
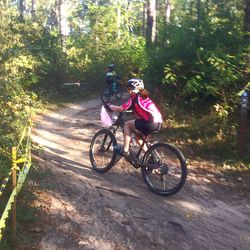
(148, 117)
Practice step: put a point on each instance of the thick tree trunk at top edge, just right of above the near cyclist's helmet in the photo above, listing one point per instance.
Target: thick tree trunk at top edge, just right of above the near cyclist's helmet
(151, 22)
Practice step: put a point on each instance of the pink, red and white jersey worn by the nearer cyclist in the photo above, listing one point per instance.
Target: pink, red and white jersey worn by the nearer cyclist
(143, 108)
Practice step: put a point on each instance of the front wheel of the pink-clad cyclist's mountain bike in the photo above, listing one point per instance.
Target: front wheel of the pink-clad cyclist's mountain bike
(102, 152)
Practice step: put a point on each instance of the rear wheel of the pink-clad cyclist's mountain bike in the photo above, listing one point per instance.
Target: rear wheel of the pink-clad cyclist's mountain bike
(164, 169)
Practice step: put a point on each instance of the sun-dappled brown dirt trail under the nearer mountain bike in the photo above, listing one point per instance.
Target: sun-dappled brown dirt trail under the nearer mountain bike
(115, 210)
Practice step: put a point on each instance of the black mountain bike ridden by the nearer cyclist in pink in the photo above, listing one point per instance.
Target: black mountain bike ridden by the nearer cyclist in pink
(163, 166)
